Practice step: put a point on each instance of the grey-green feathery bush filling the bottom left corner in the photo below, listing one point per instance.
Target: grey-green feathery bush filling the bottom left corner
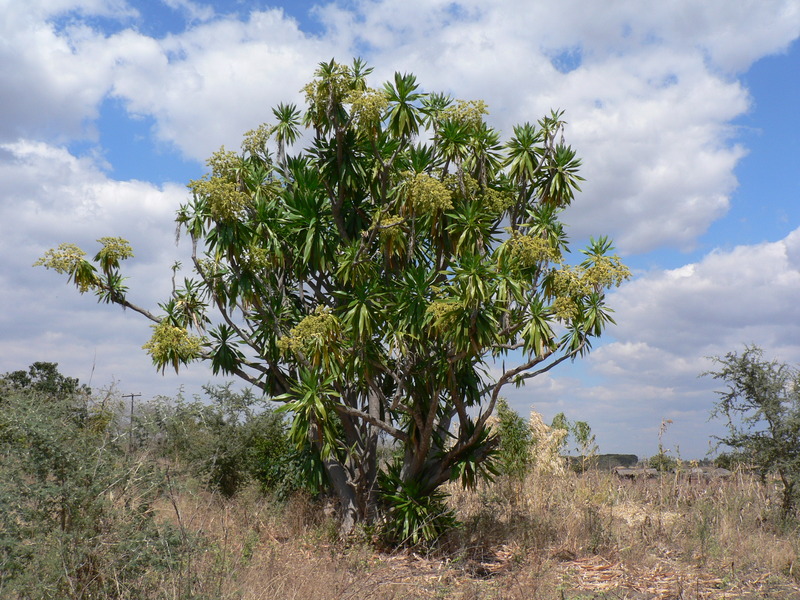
(75, 512)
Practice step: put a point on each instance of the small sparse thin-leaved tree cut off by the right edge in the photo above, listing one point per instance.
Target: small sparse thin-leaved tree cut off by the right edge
(761, 406)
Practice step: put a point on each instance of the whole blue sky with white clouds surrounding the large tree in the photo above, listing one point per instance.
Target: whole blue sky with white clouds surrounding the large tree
(685, 116)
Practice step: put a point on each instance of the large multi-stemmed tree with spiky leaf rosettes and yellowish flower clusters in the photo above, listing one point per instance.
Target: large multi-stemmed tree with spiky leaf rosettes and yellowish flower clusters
(372, 283)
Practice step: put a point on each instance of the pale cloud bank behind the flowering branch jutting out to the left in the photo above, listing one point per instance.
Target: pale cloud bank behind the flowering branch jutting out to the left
(49, 197)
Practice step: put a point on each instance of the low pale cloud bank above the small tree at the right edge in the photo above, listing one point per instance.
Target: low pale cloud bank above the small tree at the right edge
(669, 323)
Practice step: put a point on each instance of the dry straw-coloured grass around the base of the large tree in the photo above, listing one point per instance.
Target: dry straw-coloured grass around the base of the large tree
(553, 537)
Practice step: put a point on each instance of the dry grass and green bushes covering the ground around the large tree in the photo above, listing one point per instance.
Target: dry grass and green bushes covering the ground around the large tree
(207, 498)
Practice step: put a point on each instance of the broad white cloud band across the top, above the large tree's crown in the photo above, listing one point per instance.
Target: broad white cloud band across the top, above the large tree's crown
(649, 95)
